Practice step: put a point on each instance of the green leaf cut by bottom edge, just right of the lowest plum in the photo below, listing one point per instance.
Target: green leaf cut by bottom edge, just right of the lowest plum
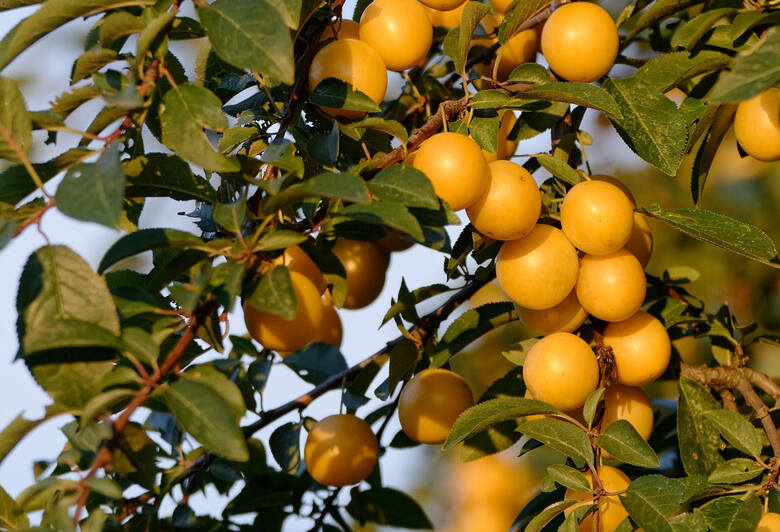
(651, 499)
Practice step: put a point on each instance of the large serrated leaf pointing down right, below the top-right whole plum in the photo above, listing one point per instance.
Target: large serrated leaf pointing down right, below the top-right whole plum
(651, 125)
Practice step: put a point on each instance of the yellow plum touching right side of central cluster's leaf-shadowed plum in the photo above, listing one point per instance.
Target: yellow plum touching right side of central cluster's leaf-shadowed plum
(611, 287)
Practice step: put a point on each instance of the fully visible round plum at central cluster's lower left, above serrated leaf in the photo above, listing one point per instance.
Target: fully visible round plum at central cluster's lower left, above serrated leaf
(562, 370)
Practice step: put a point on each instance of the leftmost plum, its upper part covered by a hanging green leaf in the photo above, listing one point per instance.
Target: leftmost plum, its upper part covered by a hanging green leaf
(279, 334)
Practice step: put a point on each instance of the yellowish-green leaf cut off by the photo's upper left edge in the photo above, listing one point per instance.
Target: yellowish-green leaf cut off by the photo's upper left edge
(14, 120)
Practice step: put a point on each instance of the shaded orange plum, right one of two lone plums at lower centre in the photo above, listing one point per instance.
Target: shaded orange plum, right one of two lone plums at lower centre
(430, 402)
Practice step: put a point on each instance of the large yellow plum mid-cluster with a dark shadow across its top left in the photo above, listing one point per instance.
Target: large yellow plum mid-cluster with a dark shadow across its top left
(539, 270)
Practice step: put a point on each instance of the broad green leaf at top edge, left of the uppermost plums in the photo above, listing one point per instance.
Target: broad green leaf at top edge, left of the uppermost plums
(251, 35)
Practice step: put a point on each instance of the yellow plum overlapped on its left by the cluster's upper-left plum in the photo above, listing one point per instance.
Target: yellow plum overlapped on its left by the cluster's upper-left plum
(509, 207)
